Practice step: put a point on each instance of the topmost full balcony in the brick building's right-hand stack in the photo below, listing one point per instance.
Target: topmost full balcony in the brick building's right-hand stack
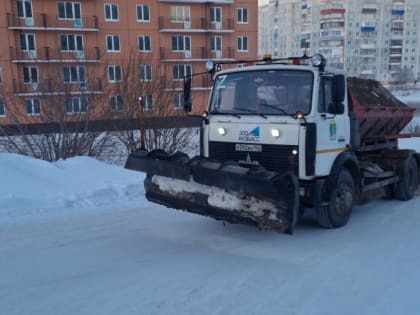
(166, 24)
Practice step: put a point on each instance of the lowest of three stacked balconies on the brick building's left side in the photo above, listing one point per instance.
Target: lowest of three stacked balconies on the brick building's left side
(57, 86)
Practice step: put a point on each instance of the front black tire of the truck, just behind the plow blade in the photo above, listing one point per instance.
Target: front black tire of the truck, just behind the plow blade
(338, 210)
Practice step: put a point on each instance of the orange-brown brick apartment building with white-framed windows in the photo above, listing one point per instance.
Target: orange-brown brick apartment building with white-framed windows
(76, 52)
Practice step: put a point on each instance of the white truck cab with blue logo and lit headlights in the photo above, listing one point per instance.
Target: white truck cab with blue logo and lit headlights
(280, 116)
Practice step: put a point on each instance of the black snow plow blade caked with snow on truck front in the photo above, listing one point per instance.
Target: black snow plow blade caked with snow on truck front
(223, 191)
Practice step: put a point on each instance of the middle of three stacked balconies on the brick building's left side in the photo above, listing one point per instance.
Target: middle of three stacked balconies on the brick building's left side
(48, 54)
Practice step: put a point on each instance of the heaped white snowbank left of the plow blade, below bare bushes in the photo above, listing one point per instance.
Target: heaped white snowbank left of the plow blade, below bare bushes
(31, 186)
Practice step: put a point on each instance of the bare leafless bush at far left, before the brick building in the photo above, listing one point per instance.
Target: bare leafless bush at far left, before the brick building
(54, 121)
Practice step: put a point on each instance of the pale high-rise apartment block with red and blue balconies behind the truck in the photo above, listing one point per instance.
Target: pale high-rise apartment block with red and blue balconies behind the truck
(377, 39)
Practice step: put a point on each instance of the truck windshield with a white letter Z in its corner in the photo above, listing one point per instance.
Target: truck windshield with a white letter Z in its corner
(266, 92)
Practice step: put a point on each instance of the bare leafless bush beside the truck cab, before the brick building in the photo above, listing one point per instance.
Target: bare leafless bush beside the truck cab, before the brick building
(159, 92)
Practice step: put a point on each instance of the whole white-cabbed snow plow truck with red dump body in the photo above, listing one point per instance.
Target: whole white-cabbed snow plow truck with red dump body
(281, 136)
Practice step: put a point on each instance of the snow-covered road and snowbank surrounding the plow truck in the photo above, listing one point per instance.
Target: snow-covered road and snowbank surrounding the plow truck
(79, 237)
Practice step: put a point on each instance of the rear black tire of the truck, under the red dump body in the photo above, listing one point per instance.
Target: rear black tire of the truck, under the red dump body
(408, 172)
